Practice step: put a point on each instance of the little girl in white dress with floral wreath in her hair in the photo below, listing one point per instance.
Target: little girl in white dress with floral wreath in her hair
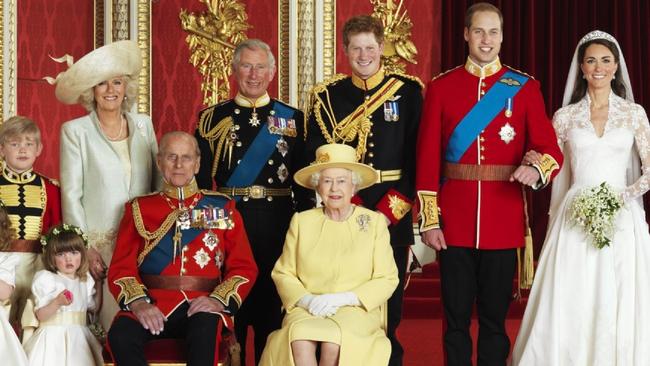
(63, 294)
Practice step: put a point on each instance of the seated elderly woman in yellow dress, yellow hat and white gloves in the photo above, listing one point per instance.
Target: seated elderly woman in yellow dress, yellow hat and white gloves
(335, 273)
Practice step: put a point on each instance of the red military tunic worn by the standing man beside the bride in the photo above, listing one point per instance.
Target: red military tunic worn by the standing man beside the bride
(475, 213)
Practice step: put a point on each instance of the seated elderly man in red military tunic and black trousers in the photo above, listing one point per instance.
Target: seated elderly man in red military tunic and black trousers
(182, 263)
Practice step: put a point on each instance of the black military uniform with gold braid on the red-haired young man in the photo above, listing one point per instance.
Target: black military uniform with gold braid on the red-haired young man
(378, 116)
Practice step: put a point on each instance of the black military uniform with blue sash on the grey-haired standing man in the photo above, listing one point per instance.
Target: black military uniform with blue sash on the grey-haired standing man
(250, 153)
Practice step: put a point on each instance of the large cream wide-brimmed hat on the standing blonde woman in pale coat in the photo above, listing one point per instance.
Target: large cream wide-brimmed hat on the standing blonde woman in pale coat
(114, 59)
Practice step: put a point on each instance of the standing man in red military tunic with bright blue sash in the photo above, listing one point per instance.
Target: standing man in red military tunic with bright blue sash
(478, 122)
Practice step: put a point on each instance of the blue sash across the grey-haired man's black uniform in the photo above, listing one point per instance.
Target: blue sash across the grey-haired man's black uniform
(258, 153)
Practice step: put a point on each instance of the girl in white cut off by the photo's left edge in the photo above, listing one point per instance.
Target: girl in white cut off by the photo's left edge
(11, 351)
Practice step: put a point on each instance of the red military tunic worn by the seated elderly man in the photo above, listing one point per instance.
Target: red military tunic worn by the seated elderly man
(222, 254)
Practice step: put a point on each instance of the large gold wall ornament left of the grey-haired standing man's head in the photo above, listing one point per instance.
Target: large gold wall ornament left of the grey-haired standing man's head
(212, 36)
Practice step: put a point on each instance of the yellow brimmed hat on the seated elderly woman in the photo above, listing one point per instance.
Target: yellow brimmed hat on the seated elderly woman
(336, 156)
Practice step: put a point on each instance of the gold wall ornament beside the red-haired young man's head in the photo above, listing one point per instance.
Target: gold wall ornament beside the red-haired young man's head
(397, 34)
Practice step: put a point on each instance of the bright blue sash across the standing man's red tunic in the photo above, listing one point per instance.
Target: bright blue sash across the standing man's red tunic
(482, 114)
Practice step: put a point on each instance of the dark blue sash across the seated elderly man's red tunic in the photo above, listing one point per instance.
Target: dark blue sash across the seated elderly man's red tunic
(162, 255)
